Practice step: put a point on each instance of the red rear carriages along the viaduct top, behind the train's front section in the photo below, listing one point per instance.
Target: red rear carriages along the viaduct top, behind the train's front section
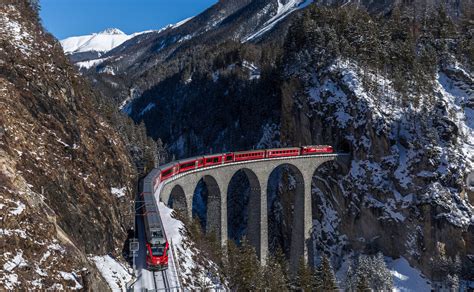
(174, 168)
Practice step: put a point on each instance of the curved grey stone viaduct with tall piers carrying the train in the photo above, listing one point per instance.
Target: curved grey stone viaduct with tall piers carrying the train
(179, 191)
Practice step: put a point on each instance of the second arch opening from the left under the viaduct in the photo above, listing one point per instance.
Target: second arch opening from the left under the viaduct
(206, 205)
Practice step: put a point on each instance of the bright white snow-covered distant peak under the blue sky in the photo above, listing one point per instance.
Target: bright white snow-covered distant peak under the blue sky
(103, 41)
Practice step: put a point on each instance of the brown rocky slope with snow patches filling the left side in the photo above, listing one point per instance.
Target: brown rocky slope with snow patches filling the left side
(59, 161)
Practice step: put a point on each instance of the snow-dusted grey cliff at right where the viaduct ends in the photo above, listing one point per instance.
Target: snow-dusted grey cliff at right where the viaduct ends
(405, 191)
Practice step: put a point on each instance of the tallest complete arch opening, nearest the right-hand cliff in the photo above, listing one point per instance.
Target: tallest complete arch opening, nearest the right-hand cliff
(285, 205)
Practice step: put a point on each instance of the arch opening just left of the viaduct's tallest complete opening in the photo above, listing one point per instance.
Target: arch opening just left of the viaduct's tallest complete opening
(244, 207)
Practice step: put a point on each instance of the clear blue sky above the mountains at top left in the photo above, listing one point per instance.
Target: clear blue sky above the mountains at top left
(64, 18)
